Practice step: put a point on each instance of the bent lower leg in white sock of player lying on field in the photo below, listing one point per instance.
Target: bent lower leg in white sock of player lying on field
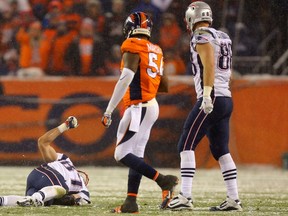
(49, 192)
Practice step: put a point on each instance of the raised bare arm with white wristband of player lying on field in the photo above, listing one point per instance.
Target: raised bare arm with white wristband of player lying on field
(47, 151)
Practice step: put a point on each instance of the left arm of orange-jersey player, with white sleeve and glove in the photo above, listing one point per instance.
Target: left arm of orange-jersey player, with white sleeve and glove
(131, 62)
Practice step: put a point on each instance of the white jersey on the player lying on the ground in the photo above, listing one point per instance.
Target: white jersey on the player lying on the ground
(73, 180)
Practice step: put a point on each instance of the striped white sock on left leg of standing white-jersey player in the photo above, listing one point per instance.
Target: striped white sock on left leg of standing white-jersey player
(188, 166)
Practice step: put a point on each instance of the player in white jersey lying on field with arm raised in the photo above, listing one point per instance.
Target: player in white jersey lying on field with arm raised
(57, 182)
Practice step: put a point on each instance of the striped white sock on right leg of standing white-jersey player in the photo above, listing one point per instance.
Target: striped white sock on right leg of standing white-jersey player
(229, 172)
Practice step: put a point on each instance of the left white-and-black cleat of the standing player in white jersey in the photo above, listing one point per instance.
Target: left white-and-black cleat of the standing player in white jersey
(180, 202)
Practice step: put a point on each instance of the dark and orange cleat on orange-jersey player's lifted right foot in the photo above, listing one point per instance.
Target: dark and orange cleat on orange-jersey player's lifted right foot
(168, 185)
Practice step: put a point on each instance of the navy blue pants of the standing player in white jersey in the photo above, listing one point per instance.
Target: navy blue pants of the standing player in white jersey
(215, 125)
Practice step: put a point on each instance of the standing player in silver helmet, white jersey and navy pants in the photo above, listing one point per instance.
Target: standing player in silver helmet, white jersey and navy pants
(211, 58)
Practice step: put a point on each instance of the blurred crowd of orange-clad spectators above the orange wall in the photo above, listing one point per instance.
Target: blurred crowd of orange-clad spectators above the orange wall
(83, 37)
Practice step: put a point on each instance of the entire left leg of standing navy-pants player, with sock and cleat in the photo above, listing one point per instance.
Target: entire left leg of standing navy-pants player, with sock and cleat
(194, 130)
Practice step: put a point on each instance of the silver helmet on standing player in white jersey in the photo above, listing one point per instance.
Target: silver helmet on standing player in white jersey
(197, 12)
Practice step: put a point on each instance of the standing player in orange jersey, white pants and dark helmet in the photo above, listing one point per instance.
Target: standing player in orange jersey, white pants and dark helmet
(141, 78)
